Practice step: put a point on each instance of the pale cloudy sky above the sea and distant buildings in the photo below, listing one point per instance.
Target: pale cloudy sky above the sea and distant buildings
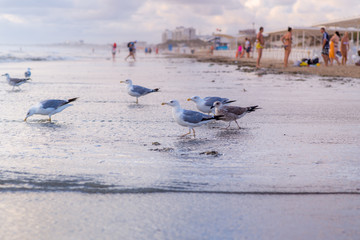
(107, 21)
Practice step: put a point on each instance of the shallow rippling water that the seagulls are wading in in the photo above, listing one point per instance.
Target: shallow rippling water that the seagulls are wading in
(305, 139)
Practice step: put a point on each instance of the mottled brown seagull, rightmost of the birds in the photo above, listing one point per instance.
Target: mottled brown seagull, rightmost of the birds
(231, 113)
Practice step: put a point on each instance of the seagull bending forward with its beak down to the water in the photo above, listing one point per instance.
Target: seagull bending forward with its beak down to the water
(49, 107)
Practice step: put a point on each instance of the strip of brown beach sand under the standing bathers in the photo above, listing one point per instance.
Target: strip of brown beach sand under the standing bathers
(276, 66)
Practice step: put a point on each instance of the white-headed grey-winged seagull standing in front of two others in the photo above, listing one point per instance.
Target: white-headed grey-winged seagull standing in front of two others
(188, 118)
